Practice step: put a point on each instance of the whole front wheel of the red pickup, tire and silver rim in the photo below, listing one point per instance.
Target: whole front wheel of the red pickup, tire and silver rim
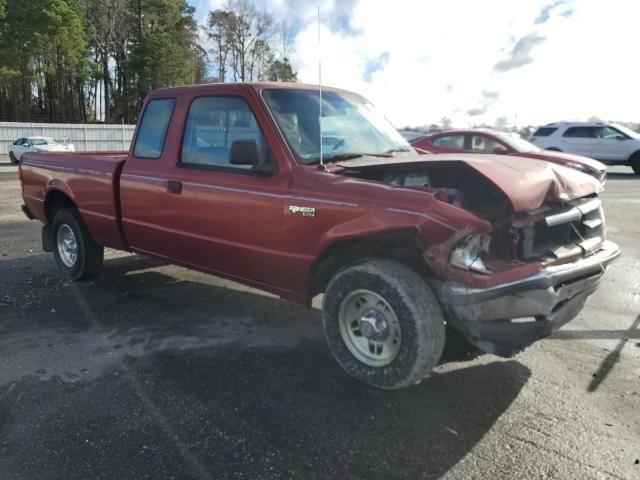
(383, 324)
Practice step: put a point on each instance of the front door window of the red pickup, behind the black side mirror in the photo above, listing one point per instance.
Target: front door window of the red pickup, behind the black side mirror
(213, 124)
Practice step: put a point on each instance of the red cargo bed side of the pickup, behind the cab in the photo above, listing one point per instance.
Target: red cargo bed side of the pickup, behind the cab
(90, 179)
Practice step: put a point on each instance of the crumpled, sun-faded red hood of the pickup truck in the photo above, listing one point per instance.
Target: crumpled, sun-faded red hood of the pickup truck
(527, 182)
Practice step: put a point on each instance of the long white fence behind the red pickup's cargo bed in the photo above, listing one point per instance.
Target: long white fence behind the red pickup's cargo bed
(83, 137)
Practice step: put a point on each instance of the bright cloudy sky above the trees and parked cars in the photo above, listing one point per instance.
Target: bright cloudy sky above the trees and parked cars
(524, 62)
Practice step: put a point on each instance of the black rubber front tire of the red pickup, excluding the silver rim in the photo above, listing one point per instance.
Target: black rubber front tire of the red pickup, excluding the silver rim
(418, 314)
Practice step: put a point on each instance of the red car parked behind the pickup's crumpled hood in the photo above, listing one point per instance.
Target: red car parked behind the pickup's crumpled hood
(493, 142)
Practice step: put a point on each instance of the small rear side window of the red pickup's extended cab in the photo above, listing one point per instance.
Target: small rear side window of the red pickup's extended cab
(153, 128)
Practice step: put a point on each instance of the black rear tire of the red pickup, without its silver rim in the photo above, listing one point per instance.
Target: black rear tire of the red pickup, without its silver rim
(89, 255)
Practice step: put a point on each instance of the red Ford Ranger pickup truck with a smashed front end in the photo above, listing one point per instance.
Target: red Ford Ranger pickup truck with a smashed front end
(257, 183)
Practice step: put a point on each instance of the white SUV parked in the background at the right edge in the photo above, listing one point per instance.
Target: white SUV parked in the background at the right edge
(610, 143)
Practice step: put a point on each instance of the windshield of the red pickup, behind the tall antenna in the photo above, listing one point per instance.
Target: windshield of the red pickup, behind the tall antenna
(350, 125)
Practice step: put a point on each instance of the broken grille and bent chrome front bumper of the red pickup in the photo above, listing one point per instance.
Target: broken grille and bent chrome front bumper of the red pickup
(567, 245)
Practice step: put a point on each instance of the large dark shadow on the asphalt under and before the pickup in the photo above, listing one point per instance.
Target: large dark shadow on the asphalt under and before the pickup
(204, 381)
